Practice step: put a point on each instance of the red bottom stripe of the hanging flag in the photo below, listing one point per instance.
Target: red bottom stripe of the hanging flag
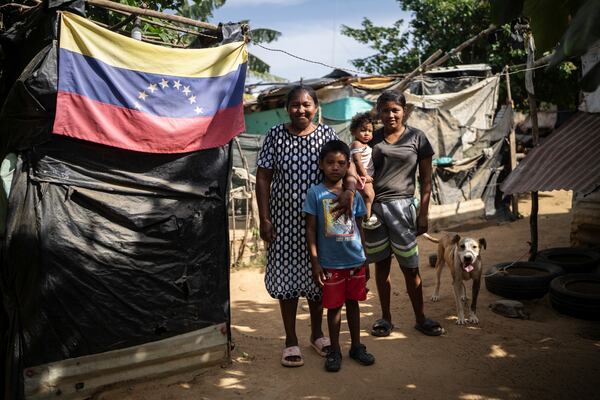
(79, 117)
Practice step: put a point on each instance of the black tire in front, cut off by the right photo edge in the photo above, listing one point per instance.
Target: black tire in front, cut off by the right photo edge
(577, 295)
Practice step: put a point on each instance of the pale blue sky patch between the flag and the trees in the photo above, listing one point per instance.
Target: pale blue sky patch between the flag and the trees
(310, 29)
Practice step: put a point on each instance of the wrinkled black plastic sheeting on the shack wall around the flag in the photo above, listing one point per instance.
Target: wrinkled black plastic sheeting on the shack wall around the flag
(104, 248)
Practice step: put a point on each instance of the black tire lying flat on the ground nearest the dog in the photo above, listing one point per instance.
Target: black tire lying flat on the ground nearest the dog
(521, 280)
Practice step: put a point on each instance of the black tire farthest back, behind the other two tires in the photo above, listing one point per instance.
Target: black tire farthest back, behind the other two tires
(572, 259)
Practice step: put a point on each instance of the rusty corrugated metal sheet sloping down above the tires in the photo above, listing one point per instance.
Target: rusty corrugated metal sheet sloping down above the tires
(568, 159)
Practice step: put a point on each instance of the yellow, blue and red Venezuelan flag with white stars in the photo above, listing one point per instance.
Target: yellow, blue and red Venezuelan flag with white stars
(125, 93)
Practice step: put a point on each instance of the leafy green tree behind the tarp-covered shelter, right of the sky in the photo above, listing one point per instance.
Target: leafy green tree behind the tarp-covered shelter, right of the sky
(444, 24)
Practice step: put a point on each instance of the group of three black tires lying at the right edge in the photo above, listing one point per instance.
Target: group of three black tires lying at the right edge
(567, 273)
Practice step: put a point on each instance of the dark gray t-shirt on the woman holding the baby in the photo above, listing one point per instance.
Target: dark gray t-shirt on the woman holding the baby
(396, 163)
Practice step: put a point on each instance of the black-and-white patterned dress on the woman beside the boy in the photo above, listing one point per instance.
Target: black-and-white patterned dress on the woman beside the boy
(295, 164)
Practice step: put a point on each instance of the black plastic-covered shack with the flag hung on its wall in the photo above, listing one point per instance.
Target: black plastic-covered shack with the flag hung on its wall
(115, 260)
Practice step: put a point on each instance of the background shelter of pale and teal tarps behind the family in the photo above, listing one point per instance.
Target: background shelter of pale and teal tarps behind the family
(455, 107)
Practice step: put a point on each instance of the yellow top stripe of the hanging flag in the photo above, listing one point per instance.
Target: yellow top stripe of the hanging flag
(83, 36)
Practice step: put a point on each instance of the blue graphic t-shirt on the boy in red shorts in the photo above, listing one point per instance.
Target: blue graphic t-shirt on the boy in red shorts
(338, 241)
